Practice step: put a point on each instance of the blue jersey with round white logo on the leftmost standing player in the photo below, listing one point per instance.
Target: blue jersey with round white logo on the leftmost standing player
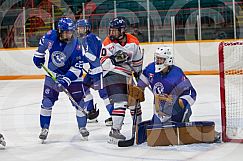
(64, 58)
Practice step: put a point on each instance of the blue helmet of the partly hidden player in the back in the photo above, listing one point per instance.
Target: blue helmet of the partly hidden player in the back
(83, 27)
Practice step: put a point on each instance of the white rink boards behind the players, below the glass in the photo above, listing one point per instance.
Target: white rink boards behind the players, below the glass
(189, 56)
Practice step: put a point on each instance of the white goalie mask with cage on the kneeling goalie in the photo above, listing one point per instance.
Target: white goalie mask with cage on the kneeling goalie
(166, 53)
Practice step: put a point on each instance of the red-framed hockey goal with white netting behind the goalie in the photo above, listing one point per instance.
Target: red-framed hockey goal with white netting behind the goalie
(231, 90)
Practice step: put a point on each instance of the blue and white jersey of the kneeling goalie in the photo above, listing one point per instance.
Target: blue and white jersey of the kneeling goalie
(174, 83)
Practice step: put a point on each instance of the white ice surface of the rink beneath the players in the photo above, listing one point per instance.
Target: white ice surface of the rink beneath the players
(19, 123)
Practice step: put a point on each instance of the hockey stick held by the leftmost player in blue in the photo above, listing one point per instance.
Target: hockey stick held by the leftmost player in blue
(89, 115)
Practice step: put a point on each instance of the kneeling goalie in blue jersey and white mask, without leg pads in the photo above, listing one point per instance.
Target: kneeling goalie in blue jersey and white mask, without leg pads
(173, 93)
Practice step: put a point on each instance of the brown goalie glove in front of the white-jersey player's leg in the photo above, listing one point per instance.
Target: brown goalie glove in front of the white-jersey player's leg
(134, 94)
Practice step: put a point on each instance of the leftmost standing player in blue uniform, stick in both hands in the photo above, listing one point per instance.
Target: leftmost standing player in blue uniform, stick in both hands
(66, 63)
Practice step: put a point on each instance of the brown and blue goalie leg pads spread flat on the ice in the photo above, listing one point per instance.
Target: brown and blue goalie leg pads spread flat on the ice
(175, 133)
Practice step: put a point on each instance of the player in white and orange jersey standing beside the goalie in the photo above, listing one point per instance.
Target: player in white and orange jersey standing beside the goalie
(121, 52)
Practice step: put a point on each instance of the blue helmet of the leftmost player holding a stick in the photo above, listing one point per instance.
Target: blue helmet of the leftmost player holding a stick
(66, 24)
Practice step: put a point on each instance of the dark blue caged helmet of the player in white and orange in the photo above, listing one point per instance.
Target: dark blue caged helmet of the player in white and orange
(118, 24)
